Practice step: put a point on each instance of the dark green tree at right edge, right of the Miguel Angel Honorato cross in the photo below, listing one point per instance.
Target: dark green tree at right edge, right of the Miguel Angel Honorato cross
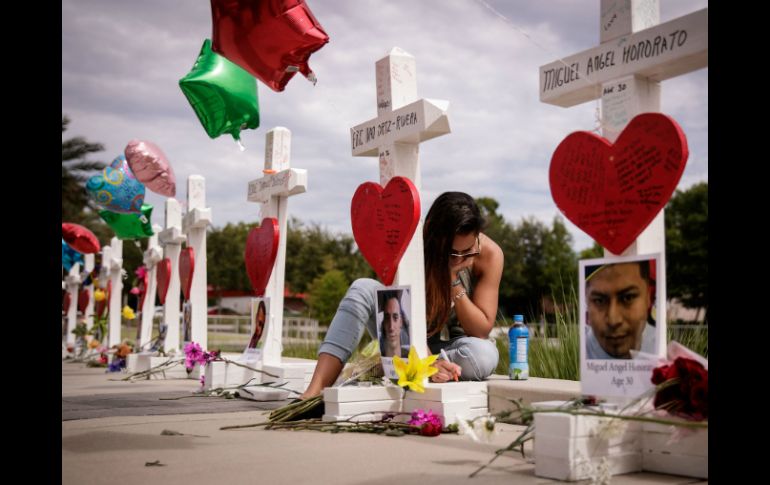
(687, 246)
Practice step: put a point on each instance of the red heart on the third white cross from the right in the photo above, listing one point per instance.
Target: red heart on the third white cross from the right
(261, 250)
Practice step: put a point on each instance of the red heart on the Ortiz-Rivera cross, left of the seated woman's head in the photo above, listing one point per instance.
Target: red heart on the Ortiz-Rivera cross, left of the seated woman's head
(384, 222)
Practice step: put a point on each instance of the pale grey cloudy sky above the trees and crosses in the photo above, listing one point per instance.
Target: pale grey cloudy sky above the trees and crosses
(122, 60)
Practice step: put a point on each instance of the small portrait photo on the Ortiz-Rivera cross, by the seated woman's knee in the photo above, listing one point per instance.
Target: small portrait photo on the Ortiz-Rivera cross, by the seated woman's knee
(394, 312)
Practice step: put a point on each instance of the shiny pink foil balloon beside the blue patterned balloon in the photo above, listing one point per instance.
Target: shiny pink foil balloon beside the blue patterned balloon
(151, 167)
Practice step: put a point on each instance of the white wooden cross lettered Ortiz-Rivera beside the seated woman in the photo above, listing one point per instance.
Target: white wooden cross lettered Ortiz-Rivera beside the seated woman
(403, 122)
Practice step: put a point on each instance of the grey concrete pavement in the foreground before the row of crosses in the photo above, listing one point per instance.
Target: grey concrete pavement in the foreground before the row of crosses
(116, 446)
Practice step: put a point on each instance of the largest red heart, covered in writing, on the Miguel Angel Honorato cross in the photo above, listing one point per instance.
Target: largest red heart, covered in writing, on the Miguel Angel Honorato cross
(613, 191)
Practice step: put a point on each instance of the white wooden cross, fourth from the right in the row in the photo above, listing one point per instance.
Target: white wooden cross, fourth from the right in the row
(194, 226)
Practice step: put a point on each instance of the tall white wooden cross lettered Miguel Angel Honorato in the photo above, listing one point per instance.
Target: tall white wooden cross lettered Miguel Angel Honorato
(635, 54)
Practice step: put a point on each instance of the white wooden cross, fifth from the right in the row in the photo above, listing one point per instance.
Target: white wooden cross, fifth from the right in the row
(171, 238)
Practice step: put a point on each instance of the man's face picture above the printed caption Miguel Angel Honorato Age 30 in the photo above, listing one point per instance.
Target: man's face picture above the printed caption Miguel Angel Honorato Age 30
(619, 302)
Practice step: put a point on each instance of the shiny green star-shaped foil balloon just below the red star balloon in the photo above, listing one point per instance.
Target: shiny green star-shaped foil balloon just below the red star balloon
(223, 95)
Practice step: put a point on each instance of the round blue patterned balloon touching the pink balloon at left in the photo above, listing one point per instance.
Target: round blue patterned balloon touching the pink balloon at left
(117, 189)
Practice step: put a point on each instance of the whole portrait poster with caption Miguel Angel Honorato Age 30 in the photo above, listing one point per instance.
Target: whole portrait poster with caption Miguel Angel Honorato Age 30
(622, 324)
